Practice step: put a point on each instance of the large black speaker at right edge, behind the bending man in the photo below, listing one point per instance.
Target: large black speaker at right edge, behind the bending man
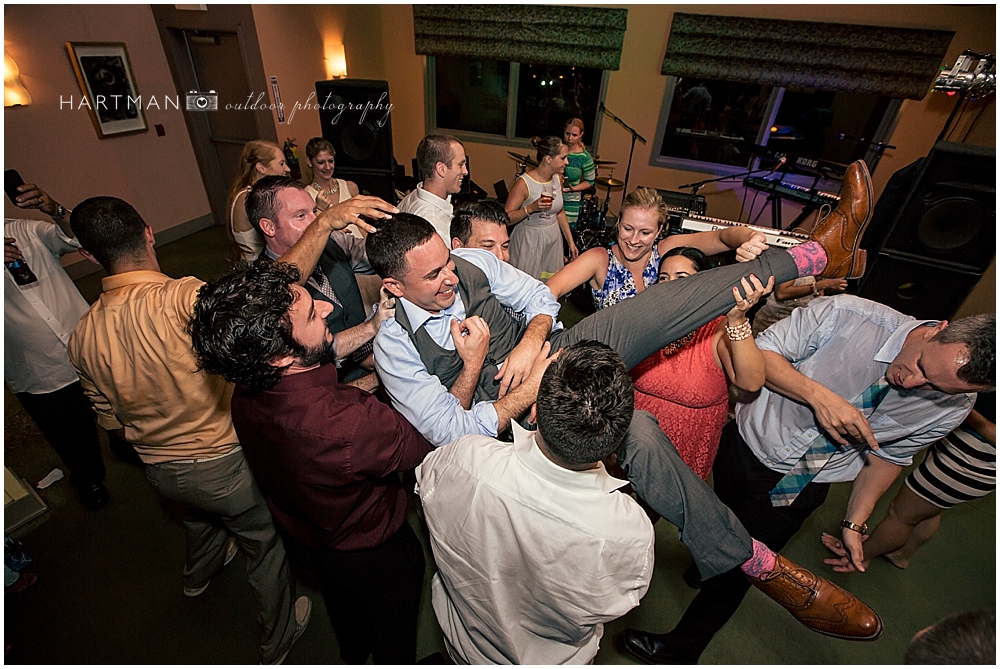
(928, 250)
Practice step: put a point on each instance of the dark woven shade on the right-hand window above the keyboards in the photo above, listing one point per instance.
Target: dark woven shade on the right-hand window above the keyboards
(897, 62)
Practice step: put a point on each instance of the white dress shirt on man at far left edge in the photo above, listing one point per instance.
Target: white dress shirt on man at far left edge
(39, 318)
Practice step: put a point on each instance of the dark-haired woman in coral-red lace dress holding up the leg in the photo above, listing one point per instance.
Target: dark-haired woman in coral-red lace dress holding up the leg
(686, 385)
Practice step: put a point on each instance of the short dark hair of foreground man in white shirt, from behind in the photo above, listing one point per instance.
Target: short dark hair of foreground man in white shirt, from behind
(585, 403)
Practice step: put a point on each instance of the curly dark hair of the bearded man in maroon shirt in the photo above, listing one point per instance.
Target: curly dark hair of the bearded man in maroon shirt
(241, 324)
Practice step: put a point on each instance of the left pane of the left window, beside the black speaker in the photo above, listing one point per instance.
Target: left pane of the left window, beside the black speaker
(472, 94)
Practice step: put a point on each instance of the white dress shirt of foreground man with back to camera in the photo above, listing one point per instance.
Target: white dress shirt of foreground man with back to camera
(532, 558)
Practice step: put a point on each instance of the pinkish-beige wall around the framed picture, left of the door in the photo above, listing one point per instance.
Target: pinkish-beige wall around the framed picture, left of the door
(59, 148)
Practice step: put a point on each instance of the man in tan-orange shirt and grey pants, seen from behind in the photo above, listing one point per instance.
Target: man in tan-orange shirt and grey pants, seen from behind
(136, 364)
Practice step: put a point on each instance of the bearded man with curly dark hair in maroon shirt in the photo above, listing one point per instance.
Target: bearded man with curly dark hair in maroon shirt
(326, 455)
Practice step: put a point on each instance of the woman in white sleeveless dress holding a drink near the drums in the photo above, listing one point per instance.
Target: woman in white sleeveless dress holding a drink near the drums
(535, 207)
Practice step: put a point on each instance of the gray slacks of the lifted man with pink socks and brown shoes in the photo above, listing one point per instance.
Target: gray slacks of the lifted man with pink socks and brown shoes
(638, 327)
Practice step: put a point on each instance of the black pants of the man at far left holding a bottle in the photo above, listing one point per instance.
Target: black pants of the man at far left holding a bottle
(67, 421)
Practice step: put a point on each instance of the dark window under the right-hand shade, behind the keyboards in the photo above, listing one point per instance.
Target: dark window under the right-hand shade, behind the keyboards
(714, 125)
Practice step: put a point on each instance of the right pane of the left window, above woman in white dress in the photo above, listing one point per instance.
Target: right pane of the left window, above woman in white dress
(549, 95)
